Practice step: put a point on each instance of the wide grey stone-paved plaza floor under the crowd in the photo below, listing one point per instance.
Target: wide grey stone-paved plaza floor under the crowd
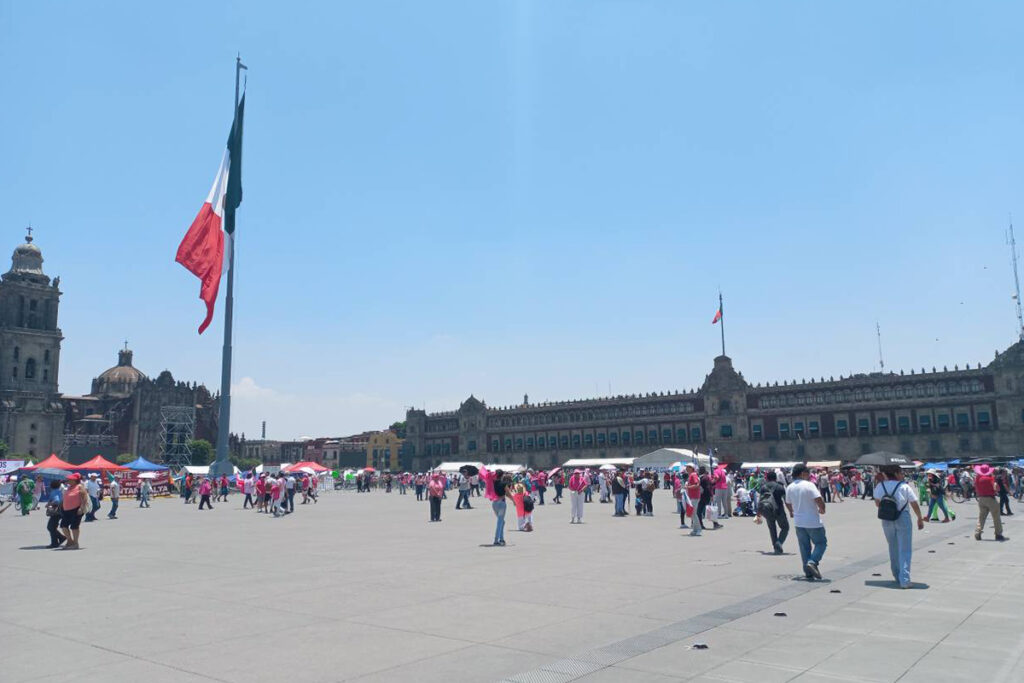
(362, 587)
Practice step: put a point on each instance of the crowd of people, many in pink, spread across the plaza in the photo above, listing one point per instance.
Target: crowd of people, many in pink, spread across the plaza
(704, 495)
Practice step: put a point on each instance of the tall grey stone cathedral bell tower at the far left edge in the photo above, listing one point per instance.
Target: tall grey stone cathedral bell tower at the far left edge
(31, 413)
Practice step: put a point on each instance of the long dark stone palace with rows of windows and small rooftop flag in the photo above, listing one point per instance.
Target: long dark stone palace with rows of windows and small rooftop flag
(928, 415)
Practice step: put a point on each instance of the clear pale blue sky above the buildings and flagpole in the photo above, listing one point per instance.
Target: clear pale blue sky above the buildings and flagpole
(500, 198)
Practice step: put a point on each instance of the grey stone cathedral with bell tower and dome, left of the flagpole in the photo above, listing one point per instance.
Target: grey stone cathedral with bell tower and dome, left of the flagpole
(121, 414)
